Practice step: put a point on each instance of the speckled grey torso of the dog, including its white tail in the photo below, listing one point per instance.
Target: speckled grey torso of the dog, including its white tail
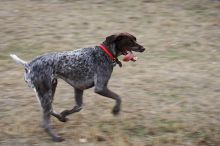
(78, 67)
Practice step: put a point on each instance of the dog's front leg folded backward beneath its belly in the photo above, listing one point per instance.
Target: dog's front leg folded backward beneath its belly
(78, 106)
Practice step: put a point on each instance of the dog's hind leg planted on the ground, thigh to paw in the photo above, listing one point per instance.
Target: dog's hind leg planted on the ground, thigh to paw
(45, 94)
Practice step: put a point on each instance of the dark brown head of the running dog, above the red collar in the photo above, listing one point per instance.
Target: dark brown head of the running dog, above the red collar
(122, 44)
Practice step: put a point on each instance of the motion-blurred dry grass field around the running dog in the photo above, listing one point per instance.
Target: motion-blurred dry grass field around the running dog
(171, 95)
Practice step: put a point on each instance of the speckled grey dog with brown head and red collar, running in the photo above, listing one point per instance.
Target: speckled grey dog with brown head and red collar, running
(82, 69)
